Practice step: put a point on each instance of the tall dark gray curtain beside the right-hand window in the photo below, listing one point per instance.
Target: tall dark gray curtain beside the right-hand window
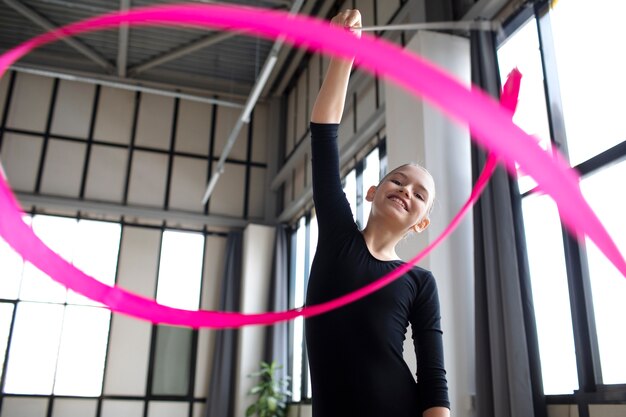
(508, 375)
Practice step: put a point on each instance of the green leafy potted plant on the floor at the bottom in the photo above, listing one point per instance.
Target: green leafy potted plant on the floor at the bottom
(271, 392)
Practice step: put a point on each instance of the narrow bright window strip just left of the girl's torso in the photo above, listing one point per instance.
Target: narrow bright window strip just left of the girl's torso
(298, 323)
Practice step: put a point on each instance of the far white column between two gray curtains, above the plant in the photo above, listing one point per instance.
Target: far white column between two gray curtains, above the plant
(258, 250)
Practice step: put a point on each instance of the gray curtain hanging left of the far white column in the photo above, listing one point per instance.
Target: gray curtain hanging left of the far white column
(221, 397)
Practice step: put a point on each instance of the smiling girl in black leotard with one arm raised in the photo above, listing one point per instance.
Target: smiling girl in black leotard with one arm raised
(355, 352)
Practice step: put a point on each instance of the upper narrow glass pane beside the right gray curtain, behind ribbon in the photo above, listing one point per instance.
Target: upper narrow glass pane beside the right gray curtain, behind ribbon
(521, 51)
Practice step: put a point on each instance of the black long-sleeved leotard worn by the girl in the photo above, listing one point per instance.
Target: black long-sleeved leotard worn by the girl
(355, 352)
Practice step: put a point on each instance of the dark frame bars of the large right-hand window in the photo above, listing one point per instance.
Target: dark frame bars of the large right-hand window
(591, 389)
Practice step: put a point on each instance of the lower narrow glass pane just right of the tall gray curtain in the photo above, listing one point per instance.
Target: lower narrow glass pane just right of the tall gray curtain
(544, 243)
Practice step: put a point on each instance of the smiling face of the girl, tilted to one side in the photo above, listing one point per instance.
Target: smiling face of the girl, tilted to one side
(404, 196)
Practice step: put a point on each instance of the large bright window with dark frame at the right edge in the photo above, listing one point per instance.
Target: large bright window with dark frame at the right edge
(569, 94)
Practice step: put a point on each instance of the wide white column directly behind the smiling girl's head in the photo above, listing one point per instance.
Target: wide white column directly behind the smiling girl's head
(416, 132)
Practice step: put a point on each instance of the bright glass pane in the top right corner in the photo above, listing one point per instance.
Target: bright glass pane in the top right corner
(591, 74)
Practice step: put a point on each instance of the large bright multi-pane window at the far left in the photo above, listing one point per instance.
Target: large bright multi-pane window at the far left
(59, 338)
